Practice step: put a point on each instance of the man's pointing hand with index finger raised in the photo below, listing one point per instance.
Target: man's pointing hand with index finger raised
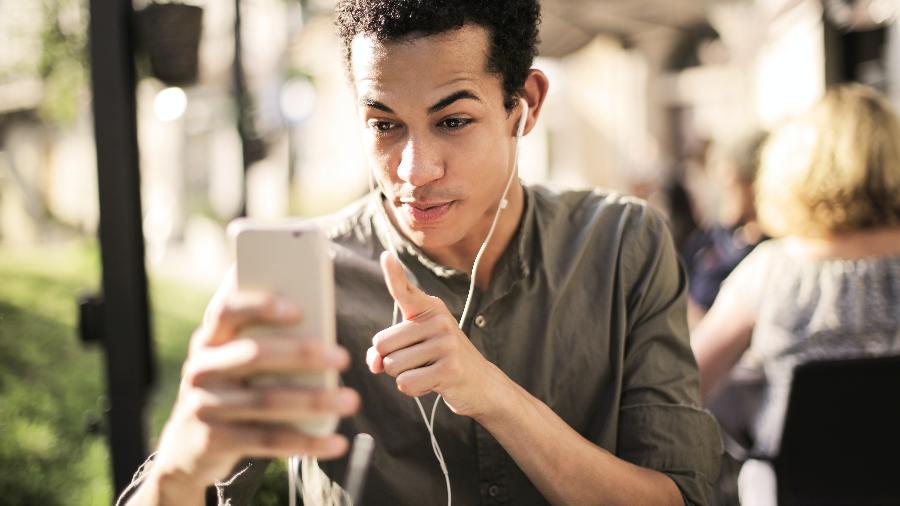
(427, 352)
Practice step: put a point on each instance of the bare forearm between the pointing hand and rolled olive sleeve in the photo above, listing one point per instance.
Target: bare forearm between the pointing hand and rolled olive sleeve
(564, 466)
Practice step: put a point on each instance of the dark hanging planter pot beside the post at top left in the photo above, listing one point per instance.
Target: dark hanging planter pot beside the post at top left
(170, 34)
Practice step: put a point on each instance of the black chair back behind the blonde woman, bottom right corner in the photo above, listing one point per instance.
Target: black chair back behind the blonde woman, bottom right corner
(841, 439)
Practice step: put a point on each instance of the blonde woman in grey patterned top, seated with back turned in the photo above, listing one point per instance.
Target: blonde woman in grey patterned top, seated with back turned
(828, 286)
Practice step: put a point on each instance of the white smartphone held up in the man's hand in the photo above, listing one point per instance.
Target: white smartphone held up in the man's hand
(291, 260)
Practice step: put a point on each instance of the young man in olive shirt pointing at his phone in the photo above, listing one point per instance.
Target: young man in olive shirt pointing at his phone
(572, 381)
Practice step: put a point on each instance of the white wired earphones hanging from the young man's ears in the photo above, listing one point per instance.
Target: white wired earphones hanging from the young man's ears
(429, 422)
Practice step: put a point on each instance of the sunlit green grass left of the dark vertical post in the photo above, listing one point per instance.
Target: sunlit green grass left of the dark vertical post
(50, 387)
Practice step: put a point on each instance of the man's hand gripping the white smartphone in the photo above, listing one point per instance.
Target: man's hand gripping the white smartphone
(220, 417)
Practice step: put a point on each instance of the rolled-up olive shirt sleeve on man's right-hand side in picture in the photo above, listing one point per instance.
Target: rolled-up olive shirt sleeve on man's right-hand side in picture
(662, 425)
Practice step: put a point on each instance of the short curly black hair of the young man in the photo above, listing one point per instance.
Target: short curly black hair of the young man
(512, 25)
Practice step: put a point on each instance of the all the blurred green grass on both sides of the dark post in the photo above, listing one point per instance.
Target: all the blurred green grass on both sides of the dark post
(52, 387)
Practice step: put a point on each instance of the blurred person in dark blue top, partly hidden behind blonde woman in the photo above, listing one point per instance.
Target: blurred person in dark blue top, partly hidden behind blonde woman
(714, 250)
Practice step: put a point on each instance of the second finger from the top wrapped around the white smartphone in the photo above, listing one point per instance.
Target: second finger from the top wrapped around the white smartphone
(246, 356)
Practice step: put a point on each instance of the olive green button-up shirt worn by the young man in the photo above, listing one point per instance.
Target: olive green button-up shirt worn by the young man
(585, 310)
